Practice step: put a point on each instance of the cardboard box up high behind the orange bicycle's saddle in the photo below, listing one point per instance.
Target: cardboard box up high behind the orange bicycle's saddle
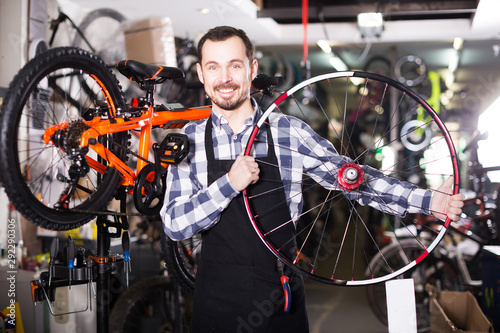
(151, 41)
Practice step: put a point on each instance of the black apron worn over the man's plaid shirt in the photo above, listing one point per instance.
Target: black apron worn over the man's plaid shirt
(238, 286)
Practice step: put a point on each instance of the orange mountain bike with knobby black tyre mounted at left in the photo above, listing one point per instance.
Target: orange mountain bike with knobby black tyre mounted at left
(56, 95)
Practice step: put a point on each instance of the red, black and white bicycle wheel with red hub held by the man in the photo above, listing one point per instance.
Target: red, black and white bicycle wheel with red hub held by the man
(336, 236)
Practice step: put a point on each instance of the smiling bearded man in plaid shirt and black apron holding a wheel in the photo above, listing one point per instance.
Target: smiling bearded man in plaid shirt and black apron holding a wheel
(237, 283)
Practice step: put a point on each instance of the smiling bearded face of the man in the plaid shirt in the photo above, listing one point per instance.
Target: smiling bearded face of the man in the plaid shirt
(226, 72)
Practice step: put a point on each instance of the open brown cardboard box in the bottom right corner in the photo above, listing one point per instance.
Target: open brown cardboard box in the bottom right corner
(456, 311)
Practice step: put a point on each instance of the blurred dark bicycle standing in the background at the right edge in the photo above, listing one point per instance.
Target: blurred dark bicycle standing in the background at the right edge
(453, 265)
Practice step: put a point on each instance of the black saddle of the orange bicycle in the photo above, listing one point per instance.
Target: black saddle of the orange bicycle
(145, 73)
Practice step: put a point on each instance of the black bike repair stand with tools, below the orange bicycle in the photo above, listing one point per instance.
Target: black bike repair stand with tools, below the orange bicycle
(81, 266)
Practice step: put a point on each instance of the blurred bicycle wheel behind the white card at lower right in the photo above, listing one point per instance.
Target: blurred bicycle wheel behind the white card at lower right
(437, 270)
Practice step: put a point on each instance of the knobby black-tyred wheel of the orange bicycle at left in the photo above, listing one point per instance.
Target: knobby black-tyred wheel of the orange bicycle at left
(48, 92)
